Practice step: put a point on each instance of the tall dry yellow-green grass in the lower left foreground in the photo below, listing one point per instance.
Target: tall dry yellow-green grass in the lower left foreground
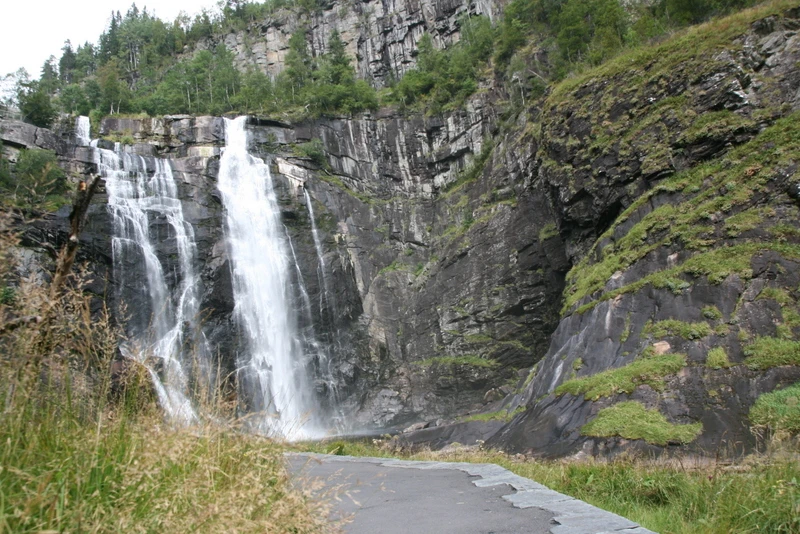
(72, 460)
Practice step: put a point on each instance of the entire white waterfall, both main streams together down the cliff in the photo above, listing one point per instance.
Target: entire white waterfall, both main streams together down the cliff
(280, 363)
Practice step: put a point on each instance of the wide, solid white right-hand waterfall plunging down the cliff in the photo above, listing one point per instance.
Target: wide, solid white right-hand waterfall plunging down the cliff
(273, 367)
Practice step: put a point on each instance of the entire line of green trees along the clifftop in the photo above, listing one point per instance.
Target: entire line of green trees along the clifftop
(142, 64)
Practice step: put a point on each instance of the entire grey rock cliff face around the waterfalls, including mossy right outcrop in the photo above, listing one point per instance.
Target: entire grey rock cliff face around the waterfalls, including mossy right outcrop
(639, 221)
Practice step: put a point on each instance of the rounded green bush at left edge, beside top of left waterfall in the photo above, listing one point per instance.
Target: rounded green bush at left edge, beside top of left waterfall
(35, 181)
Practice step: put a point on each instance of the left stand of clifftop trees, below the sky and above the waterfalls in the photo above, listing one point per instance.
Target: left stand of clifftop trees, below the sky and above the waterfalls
(139, 65)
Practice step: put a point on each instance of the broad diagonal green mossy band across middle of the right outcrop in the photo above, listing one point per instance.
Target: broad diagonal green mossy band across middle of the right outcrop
(686, 221)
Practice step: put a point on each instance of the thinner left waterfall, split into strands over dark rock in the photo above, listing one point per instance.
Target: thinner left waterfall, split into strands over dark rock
(140, 201)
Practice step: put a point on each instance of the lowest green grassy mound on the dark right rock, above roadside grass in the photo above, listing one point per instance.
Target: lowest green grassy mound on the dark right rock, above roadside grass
(631, 420)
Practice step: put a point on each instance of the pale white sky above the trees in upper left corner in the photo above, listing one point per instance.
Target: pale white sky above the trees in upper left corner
(33, 30)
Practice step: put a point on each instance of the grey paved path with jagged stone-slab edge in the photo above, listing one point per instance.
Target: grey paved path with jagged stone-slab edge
(383, 496)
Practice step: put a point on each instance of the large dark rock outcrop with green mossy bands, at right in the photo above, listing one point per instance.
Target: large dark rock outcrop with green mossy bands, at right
(664, 265)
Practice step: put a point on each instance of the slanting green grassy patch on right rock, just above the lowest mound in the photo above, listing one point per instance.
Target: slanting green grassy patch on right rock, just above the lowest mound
(649, 370)
